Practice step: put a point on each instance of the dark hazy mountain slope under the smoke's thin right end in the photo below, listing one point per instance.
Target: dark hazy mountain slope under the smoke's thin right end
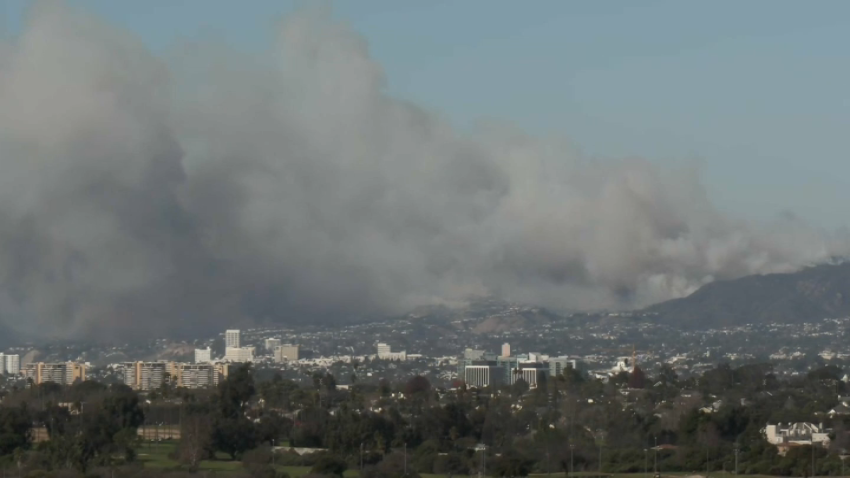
(813, 293)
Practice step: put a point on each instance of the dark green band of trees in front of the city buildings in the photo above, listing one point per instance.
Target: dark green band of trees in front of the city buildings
(634, 423)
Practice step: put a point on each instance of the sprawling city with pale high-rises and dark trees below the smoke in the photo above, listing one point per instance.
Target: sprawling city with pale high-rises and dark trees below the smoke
(493, 388)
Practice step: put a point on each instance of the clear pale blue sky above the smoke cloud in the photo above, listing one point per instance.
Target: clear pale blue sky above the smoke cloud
(755, 91)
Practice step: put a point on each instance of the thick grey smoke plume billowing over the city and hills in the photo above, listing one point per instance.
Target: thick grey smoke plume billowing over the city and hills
(141, 197)
